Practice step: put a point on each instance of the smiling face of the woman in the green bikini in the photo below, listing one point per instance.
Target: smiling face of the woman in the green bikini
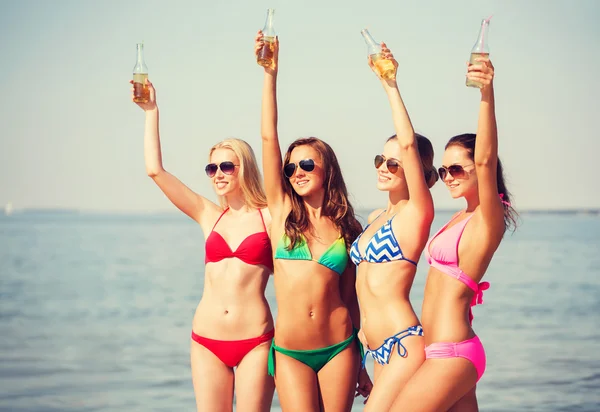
(306, 183)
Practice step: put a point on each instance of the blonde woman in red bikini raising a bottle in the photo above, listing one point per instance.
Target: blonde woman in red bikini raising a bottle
(232, 326)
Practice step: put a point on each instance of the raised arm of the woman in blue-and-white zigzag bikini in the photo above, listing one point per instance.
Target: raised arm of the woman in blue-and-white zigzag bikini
(420, 196)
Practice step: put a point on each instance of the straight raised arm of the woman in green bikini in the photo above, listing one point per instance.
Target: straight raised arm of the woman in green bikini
(272, 164)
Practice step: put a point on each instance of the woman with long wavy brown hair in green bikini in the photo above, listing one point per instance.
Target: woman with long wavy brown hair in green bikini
(313, 225)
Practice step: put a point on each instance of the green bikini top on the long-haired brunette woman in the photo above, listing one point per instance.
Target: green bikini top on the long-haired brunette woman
(334, 258)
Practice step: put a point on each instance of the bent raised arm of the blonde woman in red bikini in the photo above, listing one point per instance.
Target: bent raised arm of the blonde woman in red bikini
(186, 200)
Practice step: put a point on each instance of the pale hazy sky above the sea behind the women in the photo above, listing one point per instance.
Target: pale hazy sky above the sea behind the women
(70, 137)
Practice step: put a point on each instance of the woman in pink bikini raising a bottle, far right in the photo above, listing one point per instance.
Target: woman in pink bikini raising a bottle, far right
(459, 255)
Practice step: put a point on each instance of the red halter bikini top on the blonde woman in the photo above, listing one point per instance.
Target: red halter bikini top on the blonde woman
(254, 250)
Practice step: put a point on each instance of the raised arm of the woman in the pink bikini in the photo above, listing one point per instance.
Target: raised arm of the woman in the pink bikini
(486, 146)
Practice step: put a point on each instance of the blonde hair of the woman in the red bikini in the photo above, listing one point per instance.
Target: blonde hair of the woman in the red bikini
(249, 175)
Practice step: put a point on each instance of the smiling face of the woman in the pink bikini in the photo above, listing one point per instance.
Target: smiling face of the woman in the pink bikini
(465, 183)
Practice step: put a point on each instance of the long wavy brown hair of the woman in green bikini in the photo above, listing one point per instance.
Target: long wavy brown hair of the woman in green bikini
(336, 205)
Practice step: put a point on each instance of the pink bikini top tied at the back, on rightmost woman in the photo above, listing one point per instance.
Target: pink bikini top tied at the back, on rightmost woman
(443, 255)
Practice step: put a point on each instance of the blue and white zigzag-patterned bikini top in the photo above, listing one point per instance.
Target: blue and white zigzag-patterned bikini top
(382, 247)
